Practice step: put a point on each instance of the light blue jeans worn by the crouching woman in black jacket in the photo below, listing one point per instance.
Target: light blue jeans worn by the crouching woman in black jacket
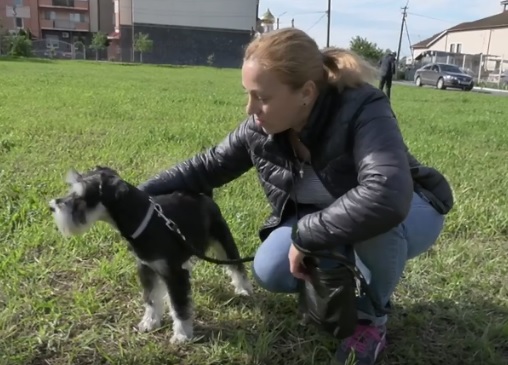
(384, 255)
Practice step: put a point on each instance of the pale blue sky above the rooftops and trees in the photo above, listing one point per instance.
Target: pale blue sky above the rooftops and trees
(377, 20)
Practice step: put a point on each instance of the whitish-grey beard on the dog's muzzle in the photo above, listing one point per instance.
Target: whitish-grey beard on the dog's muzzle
(68, 225)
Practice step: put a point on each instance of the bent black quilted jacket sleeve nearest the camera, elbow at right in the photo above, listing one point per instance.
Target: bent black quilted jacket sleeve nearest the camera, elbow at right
(383, 196)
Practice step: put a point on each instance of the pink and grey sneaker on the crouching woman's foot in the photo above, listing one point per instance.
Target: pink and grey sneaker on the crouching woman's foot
(366, 344)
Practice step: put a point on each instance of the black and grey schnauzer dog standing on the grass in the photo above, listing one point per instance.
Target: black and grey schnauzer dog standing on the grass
(164, 233)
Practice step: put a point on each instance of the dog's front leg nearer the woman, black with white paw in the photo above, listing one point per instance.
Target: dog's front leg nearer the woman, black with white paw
(180, 296)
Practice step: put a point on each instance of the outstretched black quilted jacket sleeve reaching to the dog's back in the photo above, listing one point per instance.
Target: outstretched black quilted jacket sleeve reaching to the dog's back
(208, 170)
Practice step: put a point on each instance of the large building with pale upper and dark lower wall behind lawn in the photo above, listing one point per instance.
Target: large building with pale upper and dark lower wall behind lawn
(186, 32)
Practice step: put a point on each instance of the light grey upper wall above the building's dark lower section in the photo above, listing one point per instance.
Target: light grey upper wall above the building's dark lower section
(218, 14)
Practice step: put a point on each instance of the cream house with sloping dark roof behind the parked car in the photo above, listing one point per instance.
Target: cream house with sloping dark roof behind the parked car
(487, 36)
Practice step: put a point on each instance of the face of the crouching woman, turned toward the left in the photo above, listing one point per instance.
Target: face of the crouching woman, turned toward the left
(275, 106)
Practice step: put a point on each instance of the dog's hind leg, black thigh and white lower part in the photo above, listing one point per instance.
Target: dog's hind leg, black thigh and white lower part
(225, 247)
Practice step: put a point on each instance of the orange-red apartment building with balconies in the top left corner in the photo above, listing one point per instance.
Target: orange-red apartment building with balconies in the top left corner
(58, 20)
